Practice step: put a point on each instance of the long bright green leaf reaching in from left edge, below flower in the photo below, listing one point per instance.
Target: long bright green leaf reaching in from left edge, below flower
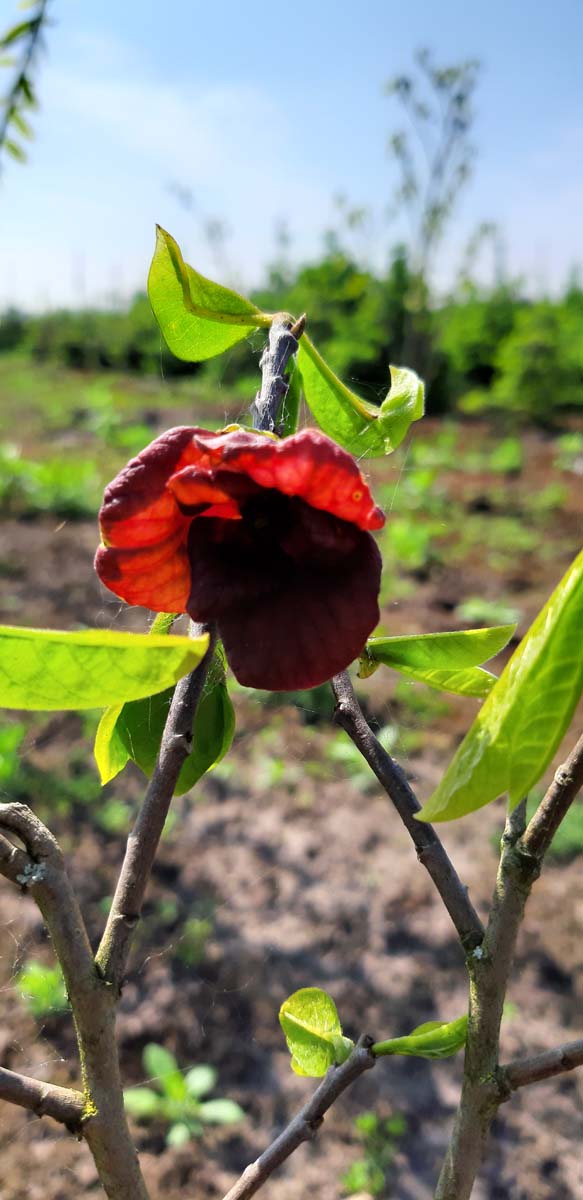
(49, 670)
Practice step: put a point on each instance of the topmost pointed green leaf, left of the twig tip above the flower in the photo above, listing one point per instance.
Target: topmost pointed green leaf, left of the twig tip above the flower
(199, 319)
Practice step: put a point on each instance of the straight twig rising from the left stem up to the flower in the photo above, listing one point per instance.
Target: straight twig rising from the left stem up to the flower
(145, 838)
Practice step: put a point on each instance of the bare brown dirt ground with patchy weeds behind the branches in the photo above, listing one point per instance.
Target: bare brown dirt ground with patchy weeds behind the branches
(310, 881)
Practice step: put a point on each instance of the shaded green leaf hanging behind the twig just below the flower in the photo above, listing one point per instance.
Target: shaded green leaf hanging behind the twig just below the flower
(134, 731)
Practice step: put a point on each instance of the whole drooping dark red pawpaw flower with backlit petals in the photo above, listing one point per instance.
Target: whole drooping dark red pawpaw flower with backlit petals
(267, 538)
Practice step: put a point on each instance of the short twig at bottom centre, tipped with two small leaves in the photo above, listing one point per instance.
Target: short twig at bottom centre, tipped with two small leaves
(306, 1124)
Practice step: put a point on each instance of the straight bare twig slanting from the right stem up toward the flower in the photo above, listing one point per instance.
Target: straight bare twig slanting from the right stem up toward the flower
(429, 848)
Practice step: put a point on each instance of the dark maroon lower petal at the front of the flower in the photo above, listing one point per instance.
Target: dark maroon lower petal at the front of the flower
(303, 635)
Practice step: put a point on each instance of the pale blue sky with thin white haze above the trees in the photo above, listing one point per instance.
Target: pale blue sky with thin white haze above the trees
(266, 113)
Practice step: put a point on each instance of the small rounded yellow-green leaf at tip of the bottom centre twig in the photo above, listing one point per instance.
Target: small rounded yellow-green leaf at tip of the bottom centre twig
(314, 1033)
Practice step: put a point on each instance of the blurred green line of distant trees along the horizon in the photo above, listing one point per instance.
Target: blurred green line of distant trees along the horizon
(482, 349)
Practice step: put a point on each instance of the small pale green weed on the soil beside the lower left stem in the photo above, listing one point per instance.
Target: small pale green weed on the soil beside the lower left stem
(177, 1101)
